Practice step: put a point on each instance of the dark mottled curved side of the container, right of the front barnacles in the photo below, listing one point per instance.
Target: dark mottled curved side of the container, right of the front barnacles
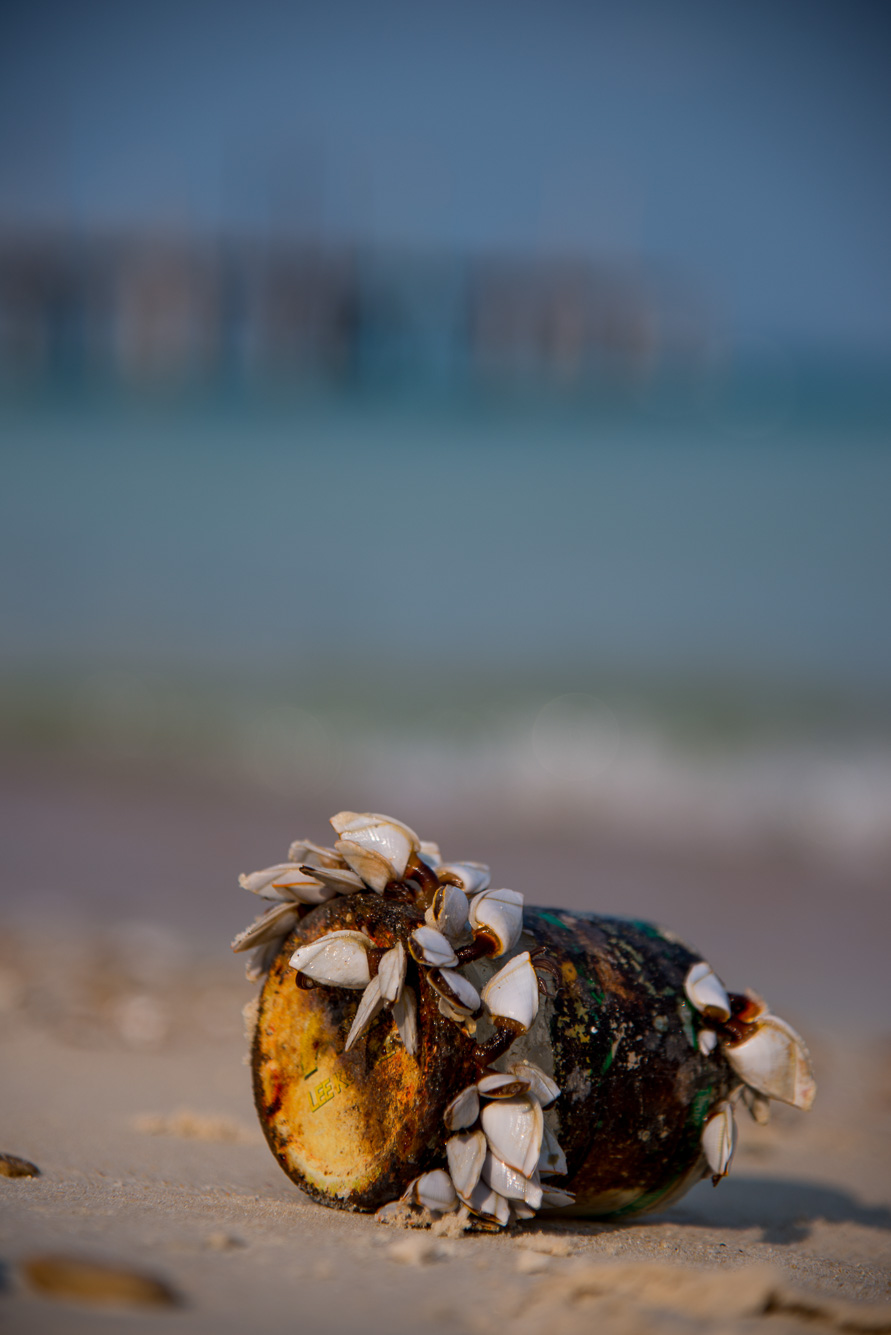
(635, 1087)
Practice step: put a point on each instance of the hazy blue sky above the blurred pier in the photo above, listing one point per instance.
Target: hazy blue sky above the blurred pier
(745, 148)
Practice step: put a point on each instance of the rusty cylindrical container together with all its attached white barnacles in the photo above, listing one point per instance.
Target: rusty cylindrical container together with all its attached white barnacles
(424, 1039)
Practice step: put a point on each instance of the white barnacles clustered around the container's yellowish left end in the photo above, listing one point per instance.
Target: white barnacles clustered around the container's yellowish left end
(500, 1147)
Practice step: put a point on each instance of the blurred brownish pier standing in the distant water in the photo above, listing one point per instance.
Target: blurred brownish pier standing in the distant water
(144, 309)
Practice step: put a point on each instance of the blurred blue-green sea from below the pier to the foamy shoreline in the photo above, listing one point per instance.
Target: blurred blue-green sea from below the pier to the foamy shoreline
(673, 619)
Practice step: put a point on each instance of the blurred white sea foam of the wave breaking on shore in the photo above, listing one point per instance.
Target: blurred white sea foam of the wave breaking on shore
(798, 798)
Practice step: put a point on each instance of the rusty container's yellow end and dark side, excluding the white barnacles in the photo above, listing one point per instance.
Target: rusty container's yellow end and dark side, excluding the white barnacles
(619, 1037)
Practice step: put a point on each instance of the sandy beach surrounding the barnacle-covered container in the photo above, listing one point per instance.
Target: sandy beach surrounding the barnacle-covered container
(125, 1083)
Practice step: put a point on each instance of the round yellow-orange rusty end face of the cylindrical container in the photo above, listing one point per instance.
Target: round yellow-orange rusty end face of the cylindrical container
(352, 1127)
